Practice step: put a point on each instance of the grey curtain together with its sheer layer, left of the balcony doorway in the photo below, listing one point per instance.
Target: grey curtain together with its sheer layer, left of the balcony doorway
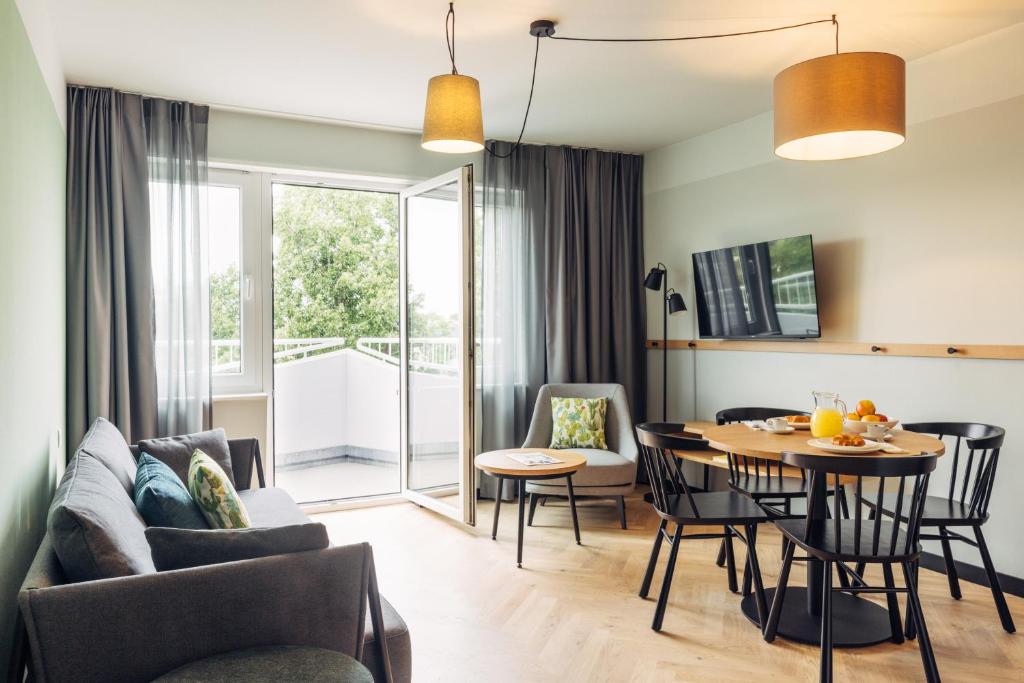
(137, 168)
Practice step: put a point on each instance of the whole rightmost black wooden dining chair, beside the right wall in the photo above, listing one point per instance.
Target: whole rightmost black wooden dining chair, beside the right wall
(966, 504)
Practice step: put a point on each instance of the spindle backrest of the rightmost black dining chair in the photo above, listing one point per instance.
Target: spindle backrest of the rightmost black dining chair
(984, 443)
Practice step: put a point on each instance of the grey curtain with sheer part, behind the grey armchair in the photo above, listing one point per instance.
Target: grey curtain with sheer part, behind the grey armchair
(562, 274)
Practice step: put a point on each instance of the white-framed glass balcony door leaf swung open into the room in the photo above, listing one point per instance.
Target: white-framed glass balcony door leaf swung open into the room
(437, 356)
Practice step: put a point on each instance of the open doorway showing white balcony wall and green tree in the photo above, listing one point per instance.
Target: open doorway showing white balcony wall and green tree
(336, 346)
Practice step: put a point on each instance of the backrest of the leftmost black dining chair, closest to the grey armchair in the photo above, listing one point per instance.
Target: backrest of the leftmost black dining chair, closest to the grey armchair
(658, 440)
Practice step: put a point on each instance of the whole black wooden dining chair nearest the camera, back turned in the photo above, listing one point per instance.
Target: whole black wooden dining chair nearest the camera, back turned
(842, 542)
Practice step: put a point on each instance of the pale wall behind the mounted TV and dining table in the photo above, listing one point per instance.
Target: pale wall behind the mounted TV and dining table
(922, 244)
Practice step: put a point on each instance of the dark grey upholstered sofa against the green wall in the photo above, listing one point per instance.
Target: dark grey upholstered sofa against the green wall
(141, 626)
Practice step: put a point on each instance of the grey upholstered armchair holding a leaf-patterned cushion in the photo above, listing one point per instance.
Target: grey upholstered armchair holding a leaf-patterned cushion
(609, 474)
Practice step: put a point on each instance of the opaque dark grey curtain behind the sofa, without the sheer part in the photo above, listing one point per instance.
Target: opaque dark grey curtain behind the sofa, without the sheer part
(109, 283)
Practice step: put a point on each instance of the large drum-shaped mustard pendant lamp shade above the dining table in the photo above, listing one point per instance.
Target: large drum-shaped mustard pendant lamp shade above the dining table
(840, 107)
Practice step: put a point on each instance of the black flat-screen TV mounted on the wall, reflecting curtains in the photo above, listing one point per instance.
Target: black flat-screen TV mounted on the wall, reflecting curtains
(760, 291)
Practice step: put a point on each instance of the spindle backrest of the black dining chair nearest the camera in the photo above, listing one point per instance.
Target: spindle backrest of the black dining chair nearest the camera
(898, 475)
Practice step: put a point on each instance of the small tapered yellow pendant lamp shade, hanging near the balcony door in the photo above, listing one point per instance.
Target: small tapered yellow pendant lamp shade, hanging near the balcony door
(453, 121)
